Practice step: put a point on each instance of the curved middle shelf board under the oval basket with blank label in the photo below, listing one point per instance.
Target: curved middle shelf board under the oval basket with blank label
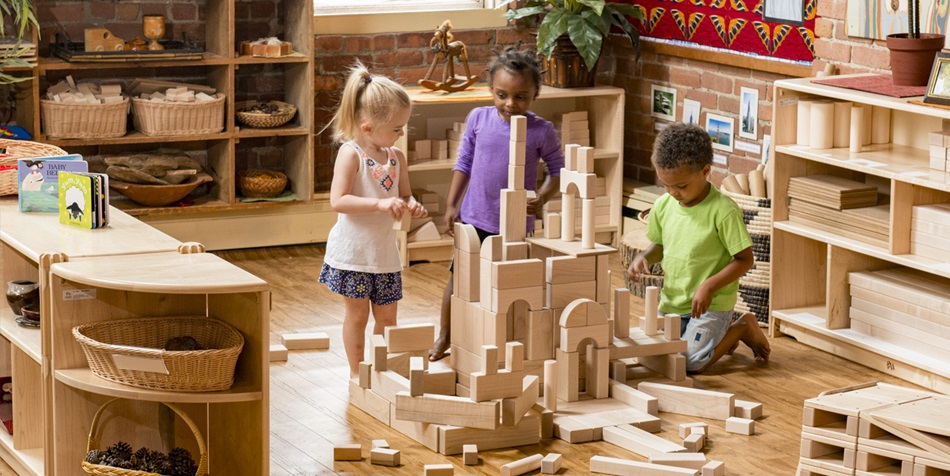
(84, 379)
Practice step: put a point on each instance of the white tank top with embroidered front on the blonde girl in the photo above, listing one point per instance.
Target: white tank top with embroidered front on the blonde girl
(367, 242)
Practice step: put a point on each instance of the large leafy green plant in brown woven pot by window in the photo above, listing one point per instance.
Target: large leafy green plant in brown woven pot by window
(571, 35)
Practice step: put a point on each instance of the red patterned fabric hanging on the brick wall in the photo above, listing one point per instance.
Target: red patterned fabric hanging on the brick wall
(735, 25)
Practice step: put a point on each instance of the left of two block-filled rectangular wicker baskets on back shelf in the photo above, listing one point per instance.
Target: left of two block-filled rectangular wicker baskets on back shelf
(83, 121)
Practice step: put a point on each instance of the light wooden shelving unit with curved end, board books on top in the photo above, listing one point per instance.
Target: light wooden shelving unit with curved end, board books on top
(127, 269)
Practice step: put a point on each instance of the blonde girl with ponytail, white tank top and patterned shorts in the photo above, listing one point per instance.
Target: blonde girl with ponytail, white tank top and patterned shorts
(370, 189)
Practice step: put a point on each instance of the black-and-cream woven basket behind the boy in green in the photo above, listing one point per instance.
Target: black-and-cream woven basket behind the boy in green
(755, 284)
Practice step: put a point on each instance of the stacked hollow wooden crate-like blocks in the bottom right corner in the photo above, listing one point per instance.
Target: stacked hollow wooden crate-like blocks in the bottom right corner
(876, 429)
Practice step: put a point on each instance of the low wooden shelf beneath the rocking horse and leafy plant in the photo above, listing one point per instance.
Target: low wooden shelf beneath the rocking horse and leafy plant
(434, 112)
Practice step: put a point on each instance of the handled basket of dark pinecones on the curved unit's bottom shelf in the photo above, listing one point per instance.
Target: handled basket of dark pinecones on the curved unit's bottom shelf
(120, 460)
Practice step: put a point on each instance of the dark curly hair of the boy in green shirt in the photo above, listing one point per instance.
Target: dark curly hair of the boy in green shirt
(682, 144)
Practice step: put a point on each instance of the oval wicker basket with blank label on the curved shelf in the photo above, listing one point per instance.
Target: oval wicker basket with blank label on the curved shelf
(206, 370)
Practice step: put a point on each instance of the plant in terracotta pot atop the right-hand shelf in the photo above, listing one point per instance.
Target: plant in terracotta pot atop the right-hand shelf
(913, 53)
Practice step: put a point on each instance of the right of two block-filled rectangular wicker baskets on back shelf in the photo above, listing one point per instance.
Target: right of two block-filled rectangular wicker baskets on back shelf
(161, 118)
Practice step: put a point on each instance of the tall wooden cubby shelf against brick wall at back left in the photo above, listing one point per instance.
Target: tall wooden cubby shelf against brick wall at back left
(215, 218)
